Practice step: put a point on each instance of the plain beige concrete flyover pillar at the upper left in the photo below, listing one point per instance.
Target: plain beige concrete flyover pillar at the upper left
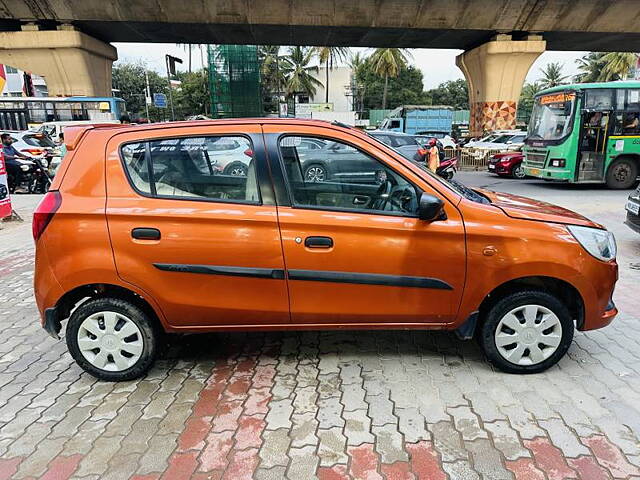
(71, 62)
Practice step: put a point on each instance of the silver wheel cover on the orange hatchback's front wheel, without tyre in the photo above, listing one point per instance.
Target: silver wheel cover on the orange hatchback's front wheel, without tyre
(528, 335)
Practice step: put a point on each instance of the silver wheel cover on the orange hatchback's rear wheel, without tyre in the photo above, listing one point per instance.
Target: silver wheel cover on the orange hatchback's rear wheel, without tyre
(110, 341)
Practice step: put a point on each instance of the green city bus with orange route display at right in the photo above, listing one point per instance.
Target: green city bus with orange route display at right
(586, 133)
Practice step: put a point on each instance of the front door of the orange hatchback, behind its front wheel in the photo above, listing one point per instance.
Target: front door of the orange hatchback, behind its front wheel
(354, 249)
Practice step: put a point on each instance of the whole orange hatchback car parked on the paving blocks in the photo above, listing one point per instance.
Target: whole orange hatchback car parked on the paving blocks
(319, 226)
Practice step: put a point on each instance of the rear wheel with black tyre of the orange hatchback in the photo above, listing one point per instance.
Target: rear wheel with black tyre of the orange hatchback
(112, 339)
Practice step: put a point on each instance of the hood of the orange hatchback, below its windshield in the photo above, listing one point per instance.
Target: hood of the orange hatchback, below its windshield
(529, 209)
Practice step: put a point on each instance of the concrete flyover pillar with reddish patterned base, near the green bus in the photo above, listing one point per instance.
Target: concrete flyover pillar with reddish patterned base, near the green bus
(495, 73)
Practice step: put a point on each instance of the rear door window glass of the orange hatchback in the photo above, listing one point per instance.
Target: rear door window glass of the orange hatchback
(194, 168)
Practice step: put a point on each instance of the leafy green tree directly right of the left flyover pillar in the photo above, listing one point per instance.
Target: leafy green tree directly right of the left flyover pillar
(129, 81)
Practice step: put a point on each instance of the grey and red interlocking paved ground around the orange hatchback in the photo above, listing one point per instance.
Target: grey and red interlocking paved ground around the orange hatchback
(328, 405)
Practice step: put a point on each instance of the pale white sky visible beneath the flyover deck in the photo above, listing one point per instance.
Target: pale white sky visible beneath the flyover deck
(437, 65)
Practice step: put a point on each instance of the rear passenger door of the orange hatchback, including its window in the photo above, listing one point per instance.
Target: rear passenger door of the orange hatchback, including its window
(204, 245)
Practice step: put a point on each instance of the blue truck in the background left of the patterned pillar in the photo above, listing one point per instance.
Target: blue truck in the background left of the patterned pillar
(415, 119)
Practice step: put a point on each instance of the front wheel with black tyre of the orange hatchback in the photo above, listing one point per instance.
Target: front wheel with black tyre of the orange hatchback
(526, 332)
